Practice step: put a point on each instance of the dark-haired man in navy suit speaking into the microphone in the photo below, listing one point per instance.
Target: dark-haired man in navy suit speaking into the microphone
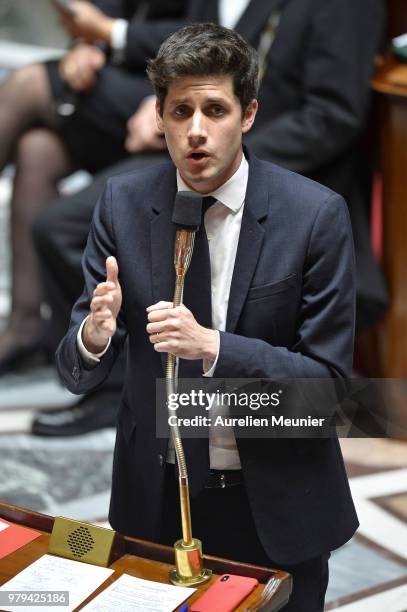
(282, 305)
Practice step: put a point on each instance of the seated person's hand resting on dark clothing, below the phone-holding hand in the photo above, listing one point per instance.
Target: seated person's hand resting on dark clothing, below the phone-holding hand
(79, 67)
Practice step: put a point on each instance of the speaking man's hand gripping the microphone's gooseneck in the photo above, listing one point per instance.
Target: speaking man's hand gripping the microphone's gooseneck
(176, 331)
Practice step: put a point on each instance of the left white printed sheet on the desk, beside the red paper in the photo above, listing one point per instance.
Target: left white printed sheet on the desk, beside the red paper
(51, 573)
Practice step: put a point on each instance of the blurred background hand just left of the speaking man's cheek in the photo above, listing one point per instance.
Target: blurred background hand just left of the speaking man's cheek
(142, 130)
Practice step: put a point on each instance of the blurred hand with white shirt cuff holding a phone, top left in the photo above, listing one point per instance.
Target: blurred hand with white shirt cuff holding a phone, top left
(87, 22)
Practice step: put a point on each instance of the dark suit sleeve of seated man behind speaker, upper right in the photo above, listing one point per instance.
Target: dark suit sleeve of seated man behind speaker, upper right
(338, 60)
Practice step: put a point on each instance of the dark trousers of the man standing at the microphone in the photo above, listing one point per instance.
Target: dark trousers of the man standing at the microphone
(222, 519)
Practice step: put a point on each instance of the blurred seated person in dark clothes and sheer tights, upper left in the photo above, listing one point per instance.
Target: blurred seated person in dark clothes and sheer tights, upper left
(59, 116)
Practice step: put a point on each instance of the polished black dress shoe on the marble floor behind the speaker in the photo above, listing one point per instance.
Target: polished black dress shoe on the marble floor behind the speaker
(91, 412)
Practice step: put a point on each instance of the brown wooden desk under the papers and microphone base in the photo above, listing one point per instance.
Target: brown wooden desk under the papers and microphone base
(142, 559)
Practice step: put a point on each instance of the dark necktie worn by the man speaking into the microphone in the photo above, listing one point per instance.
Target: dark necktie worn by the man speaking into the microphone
(197, 297)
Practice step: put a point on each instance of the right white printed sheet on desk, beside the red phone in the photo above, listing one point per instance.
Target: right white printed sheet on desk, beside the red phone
(130, 594)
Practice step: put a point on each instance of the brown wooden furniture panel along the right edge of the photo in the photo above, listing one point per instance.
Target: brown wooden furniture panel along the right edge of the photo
(393, 165)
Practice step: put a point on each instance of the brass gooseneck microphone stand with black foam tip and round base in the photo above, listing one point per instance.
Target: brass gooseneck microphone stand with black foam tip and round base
(188, 568)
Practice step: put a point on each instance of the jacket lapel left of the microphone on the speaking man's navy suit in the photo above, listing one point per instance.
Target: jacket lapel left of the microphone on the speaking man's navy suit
(162, 232)
